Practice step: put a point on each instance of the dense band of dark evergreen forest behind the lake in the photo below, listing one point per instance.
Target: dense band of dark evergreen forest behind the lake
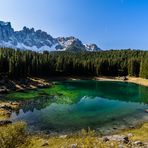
(17, 64)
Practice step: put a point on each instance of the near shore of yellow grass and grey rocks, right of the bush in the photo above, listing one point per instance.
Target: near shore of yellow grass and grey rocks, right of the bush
(90, 139)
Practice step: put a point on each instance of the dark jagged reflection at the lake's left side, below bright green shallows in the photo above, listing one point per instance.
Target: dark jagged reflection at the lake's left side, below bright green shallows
(37, 103)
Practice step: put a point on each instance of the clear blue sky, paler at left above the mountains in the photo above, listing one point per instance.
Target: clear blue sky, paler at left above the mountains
(111, 24)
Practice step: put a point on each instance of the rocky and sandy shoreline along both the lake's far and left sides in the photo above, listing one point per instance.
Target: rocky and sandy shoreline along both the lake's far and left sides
(6, 108)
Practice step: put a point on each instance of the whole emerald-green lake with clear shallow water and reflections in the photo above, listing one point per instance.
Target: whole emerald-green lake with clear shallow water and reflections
(72, 105)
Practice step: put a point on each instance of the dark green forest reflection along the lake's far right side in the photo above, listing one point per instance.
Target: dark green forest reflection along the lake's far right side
(127, 92)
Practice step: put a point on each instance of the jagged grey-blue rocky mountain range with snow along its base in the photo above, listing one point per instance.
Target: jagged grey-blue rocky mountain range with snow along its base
(29, 39)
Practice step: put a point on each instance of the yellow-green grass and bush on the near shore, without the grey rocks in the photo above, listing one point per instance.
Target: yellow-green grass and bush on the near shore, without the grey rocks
(15, 136)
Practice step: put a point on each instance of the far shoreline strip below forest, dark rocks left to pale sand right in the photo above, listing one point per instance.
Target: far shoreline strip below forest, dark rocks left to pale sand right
(31, 83)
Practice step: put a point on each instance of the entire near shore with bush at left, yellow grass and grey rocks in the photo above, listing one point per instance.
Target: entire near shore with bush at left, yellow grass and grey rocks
(128, 139)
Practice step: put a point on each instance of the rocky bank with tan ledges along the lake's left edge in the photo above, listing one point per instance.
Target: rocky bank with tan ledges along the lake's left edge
(7, 86)
